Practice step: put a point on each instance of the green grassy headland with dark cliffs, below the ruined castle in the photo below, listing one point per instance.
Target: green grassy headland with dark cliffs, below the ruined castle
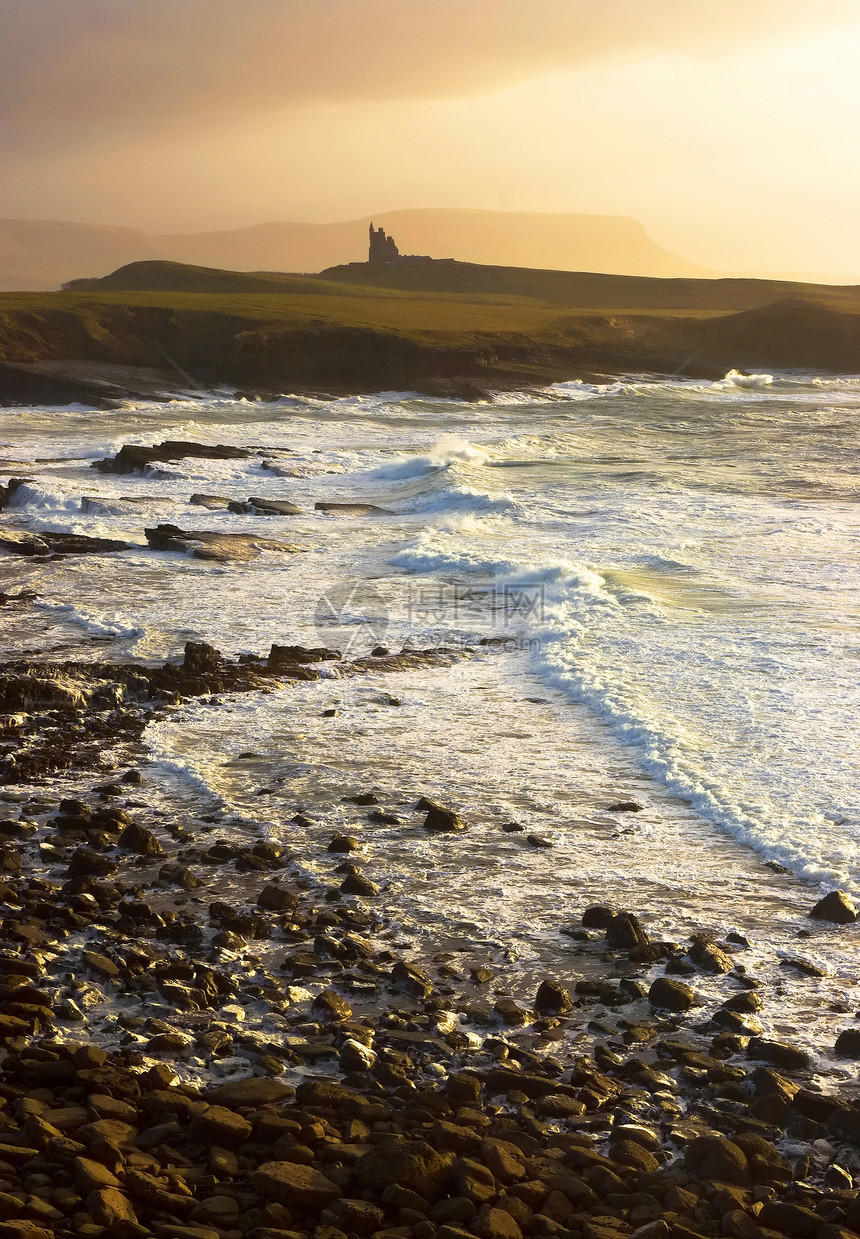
(438, 326)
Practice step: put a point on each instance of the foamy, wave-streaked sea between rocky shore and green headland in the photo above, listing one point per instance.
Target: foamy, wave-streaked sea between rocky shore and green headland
(649, 593)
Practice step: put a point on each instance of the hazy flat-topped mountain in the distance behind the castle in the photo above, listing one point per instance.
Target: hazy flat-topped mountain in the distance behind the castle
(44, 255)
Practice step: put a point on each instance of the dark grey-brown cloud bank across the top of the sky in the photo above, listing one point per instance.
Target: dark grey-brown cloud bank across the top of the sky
(90, 74)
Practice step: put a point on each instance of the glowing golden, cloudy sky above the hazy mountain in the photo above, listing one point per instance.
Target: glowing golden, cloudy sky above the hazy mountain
(729, 128)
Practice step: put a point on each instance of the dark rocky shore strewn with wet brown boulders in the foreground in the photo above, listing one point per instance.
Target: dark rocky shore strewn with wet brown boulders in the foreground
(201, 1043)
